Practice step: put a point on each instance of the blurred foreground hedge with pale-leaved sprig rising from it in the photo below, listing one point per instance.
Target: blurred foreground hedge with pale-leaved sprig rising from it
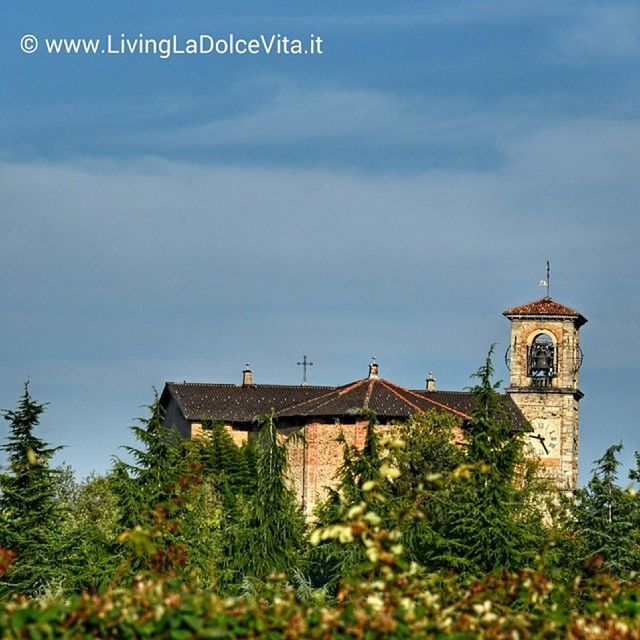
(385, 598)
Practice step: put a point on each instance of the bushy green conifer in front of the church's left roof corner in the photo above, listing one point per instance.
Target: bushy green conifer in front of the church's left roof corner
(168, 516)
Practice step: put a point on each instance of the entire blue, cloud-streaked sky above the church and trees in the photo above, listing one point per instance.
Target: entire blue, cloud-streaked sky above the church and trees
(173, 219)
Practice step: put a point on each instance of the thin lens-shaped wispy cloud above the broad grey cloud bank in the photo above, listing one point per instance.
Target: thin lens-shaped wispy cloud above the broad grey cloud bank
(295, 115)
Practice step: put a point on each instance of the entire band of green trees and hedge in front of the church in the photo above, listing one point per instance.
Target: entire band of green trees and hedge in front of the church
(422, 538)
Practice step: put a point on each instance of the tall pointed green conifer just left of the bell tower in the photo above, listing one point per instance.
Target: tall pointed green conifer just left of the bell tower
(485, 521)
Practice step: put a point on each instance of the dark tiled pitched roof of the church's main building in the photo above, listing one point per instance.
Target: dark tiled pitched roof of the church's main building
(241, 404)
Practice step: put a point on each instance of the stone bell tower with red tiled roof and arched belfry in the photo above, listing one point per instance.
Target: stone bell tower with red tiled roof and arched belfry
(544, 358)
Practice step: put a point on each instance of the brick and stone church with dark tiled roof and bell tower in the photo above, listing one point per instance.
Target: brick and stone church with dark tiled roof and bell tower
(542, 398)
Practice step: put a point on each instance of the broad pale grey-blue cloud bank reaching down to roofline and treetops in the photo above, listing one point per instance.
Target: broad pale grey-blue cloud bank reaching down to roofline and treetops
(117, 276)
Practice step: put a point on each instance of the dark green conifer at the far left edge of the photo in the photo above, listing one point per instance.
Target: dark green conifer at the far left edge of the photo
(30, 517)
